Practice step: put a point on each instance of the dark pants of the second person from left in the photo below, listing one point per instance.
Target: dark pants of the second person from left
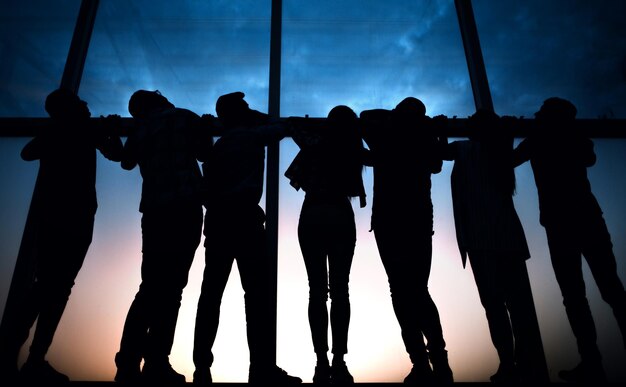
(171, 236)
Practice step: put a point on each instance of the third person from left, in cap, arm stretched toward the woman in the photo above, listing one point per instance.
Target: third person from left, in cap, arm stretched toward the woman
(234, 228)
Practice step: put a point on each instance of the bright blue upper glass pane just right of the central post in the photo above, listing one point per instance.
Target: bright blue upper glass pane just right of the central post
(371, 54)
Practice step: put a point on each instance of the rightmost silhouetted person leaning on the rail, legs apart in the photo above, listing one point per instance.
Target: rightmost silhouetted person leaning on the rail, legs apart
(559, 157)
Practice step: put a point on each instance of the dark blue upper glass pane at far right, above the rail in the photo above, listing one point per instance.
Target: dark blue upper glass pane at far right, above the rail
(538, 49)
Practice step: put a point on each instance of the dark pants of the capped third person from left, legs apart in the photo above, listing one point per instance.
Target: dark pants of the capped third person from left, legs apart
(235, 231)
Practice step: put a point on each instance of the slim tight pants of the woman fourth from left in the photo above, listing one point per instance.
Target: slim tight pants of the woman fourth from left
(327, 237)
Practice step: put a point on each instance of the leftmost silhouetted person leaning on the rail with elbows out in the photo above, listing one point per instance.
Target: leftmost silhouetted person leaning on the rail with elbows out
(63, 209)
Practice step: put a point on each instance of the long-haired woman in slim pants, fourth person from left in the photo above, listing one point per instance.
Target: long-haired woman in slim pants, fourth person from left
(329, 168)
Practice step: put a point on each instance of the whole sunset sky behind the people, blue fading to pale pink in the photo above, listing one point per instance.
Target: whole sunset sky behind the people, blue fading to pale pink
(364, 54)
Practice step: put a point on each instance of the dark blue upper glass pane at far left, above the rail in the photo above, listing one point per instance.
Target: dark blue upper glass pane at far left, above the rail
(35, 38)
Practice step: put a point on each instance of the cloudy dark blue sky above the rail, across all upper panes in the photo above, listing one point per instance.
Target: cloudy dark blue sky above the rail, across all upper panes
(364, 54)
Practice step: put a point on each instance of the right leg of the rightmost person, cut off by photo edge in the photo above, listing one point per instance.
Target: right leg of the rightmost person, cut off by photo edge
(598, 251)
